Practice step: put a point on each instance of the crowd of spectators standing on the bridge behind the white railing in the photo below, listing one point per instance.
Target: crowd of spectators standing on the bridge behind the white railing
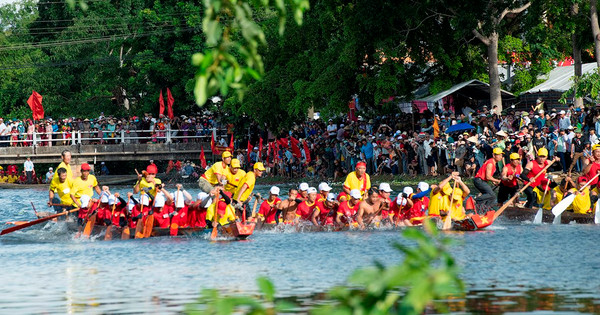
(104, 130)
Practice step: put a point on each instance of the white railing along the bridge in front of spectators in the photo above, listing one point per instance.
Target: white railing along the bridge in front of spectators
(111, 137)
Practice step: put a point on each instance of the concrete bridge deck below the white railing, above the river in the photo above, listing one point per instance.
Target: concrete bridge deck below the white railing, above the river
(89, 153)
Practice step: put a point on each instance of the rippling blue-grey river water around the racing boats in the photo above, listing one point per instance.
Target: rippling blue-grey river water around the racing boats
(510, 267)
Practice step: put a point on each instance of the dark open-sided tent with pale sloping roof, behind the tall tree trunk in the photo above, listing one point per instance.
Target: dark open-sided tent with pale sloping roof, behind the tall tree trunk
(475, 92)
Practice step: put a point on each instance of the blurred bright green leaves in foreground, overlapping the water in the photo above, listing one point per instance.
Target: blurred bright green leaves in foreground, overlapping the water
(427, 274)
